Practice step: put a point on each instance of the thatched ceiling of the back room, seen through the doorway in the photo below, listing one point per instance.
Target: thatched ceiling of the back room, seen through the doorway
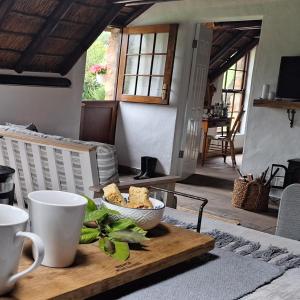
(231, 41)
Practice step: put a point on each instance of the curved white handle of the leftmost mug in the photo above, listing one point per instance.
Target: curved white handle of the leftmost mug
(38, 245)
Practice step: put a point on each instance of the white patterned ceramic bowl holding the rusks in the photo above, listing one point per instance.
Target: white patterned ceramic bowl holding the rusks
(147, 218)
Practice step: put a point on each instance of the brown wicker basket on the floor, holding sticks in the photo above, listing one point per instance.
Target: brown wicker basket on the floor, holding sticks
(253, 195)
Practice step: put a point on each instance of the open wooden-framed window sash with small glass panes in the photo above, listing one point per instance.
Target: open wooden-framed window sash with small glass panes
(146, 64)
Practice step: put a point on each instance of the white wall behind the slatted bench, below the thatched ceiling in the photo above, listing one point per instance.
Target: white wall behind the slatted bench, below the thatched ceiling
(53, 110)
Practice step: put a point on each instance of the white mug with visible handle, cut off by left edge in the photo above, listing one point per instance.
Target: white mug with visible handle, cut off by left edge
(13, 223)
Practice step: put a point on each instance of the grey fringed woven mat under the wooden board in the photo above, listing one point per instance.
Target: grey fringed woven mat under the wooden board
(235, 268)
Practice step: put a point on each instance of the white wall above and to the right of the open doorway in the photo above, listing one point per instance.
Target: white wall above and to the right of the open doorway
(268, 137)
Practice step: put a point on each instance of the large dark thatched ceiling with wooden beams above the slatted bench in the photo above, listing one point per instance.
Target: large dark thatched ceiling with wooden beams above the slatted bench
(51, 35)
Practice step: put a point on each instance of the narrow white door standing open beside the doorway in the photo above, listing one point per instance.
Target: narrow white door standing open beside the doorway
(191, 137)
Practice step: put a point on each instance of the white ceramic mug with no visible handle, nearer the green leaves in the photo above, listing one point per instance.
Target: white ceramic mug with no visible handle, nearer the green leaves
(57, 218)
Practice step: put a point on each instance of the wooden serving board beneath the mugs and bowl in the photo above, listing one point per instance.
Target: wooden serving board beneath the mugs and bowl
(93, 272)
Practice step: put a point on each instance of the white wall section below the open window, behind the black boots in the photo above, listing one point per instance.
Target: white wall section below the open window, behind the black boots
(140, 134)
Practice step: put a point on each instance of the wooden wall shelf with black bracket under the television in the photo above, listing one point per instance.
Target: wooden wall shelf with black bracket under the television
(290, 106)
